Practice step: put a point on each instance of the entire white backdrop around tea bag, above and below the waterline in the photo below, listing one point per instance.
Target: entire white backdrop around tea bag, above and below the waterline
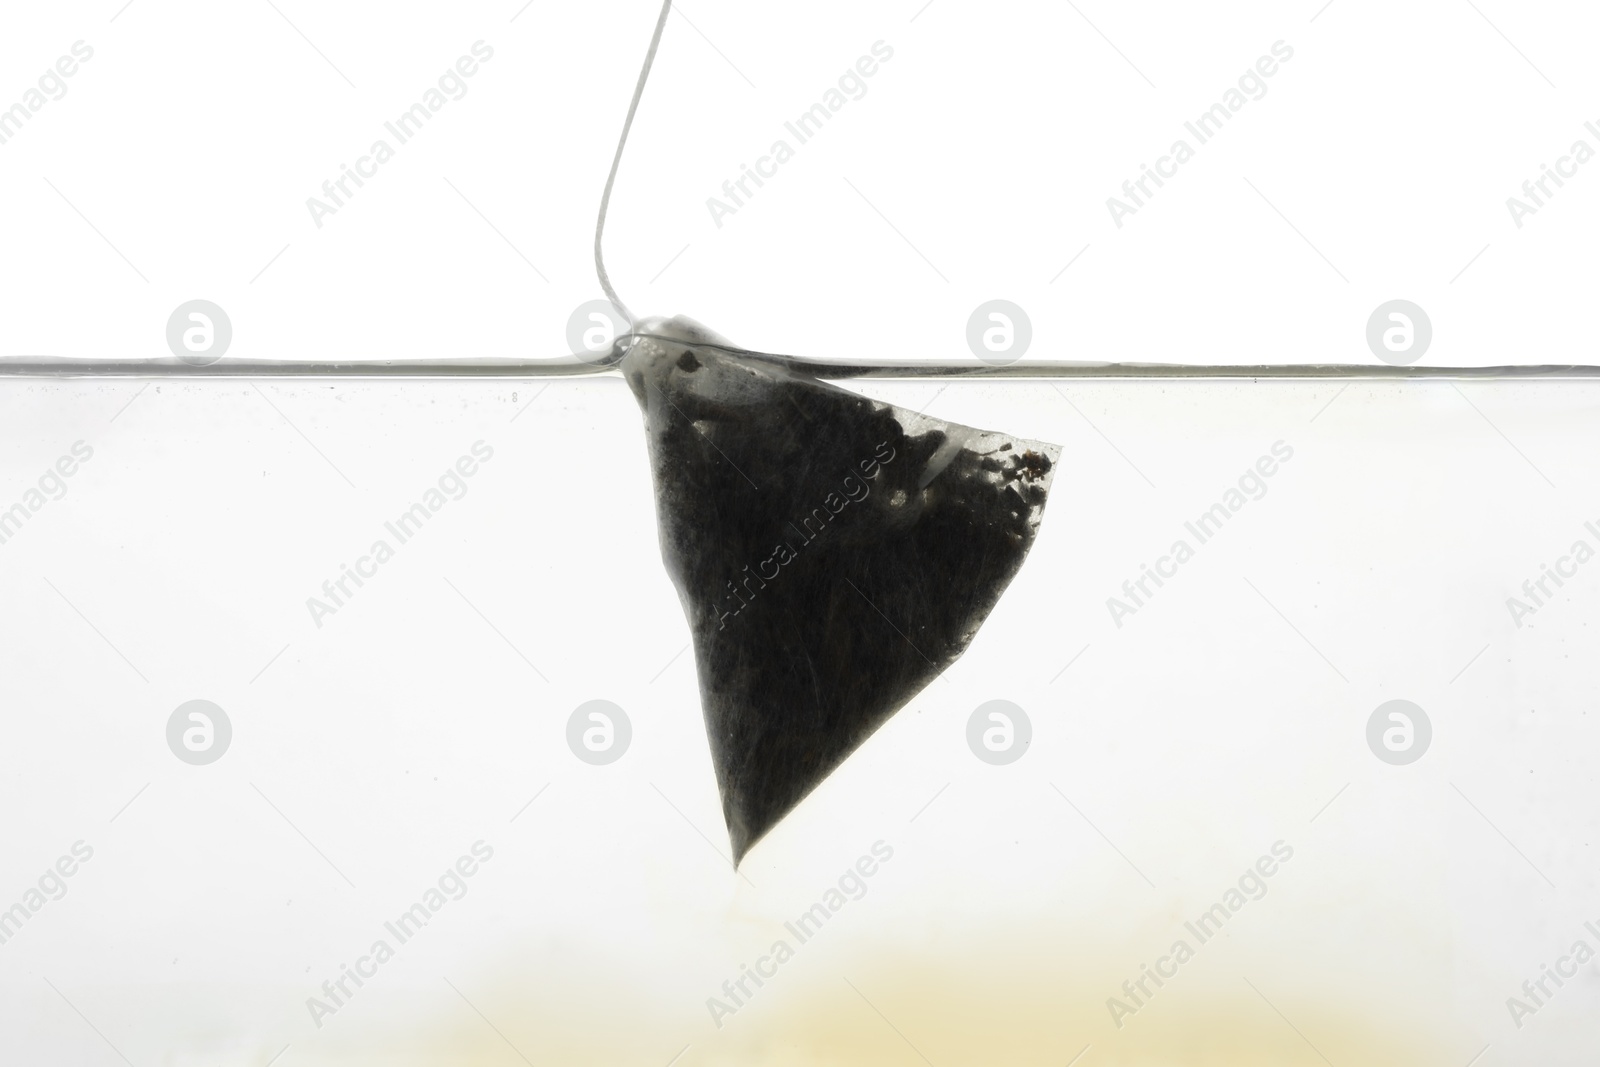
(1169, 754)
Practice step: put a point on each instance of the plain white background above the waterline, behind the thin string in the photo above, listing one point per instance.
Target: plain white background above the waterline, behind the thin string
(991, 143)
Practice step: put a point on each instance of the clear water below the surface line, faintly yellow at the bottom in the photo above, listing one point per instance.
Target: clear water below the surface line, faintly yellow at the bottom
(1177, 738)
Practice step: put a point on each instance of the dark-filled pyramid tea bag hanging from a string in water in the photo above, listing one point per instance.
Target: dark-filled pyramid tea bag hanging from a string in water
(833, 553)
